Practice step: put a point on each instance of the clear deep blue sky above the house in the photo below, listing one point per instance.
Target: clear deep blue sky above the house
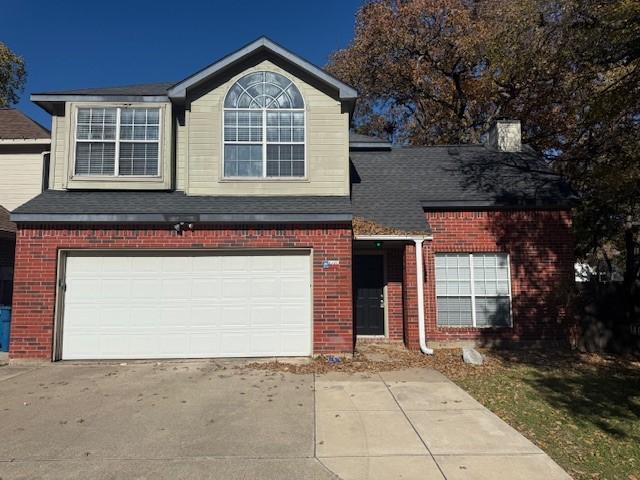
(77, 44)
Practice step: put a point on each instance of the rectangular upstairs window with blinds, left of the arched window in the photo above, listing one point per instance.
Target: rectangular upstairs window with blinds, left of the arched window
(117, 141)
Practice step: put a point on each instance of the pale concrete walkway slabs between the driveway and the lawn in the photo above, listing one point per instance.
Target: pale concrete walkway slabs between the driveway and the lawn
(416, 424)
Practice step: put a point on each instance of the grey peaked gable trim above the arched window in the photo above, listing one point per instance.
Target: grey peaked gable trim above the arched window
(262, 44)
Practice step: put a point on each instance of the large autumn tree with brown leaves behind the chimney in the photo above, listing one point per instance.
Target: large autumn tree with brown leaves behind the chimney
(441, 71)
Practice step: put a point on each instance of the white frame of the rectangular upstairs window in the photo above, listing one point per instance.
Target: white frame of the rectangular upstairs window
(117, 140)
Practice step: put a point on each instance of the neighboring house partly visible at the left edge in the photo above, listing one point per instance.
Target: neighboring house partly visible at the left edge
(24, 146)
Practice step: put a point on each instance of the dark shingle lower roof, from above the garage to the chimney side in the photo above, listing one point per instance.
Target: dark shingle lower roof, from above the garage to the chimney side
(390, 188)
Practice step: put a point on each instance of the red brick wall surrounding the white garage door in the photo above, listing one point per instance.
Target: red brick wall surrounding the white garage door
(36, 264)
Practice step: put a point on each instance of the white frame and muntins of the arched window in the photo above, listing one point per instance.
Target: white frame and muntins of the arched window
(264, 141)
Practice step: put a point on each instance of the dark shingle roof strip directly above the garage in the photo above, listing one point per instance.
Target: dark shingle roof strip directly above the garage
(177, 203)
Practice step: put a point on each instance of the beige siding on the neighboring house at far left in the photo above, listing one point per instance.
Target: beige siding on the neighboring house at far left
(20, 177)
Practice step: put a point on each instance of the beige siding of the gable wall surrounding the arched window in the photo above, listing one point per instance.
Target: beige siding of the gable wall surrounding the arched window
(327, 151)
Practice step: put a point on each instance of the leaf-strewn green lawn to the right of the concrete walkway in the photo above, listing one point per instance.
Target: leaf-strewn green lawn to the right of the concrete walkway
(583, 410)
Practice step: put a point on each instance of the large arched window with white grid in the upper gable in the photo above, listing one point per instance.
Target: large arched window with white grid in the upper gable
(264, 127)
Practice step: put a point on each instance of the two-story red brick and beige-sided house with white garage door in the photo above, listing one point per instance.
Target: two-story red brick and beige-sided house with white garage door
(232, 214)
